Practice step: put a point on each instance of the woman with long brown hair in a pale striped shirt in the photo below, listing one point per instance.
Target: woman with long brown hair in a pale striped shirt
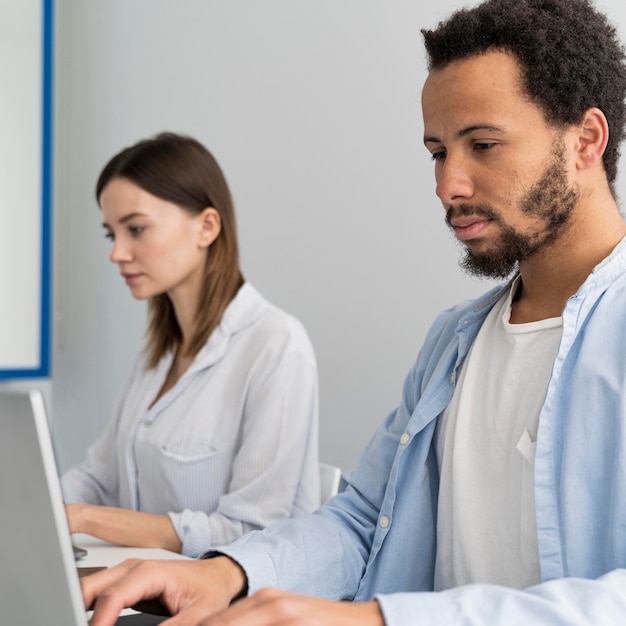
(215, 432)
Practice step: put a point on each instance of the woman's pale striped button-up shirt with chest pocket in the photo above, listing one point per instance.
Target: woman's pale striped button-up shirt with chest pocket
(232, 447)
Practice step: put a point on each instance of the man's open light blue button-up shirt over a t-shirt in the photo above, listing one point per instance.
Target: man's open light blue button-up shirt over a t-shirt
(377, 539)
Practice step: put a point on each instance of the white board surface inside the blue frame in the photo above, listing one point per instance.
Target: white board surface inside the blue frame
(20, 185)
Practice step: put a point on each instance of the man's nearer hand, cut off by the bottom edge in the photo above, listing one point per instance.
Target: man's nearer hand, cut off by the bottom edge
(271, 607)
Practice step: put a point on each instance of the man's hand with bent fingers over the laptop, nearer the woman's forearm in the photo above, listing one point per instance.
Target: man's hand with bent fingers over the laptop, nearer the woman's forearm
(190, 590)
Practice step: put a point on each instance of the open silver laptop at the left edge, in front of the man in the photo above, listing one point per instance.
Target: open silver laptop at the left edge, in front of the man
(39, 582)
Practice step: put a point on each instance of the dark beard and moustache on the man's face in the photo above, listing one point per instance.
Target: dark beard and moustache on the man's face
(550, 199)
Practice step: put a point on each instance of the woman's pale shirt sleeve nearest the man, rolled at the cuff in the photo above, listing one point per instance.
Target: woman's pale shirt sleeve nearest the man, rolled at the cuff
(275, 472)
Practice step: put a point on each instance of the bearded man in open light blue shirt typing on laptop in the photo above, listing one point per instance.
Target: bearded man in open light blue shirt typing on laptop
(500, 480)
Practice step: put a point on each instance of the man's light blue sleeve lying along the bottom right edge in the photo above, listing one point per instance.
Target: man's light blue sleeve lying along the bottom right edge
(561, 602)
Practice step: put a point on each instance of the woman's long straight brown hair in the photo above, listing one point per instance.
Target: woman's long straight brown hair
(181, 170)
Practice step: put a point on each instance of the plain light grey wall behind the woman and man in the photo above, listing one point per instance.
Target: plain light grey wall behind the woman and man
(312, 108)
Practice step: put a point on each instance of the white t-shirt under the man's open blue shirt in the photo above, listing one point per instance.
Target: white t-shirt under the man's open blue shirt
(485, 441)
